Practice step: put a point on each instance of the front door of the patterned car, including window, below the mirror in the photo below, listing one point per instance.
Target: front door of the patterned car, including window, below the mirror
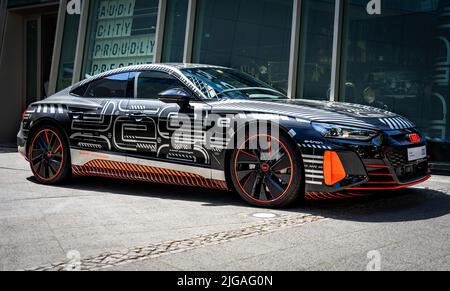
(161, 131)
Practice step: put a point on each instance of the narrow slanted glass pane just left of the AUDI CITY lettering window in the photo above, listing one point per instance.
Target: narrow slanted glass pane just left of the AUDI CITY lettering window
(67, 57)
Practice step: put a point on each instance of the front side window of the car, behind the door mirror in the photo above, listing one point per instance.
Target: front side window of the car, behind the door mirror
(150, 83)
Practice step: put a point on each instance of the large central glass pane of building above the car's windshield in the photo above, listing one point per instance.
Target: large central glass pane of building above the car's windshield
(250, 35)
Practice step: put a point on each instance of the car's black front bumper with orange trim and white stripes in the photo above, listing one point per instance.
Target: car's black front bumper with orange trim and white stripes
(368, 168)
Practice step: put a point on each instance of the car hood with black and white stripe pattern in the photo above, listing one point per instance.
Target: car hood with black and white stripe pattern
(319, 111)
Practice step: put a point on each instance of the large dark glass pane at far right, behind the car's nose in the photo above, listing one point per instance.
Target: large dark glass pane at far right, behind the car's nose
(400, 61)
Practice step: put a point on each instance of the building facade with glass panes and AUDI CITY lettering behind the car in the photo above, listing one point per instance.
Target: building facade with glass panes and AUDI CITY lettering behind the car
(392, 54)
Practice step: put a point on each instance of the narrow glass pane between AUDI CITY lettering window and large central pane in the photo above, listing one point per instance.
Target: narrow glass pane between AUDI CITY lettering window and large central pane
(174, 31)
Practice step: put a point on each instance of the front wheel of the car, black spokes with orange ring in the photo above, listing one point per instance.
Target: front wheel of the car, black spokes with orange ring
(268, 178)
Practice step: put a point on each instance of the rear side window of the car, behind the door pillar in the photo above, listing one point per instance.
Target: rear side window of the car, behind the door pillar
(114, 86)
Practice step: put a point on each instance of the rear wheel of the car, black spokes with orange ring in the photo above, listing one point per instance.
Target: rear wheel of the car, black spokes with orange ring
(49, 155)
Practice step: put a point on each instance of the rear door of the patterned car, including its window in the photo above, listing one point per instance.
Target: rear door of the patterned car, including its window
(94, 116)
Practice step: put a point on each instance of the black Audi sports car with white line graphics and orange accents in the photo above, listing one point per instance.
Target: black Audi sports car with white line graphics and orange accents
(215, 127)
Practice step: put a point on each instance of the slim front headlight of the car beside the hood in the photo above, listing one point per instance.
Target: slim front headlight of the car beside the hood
(344, 132)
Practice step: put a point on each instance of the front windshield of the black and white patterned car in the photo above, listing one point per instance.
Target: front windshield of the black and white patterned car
(221, 83)
